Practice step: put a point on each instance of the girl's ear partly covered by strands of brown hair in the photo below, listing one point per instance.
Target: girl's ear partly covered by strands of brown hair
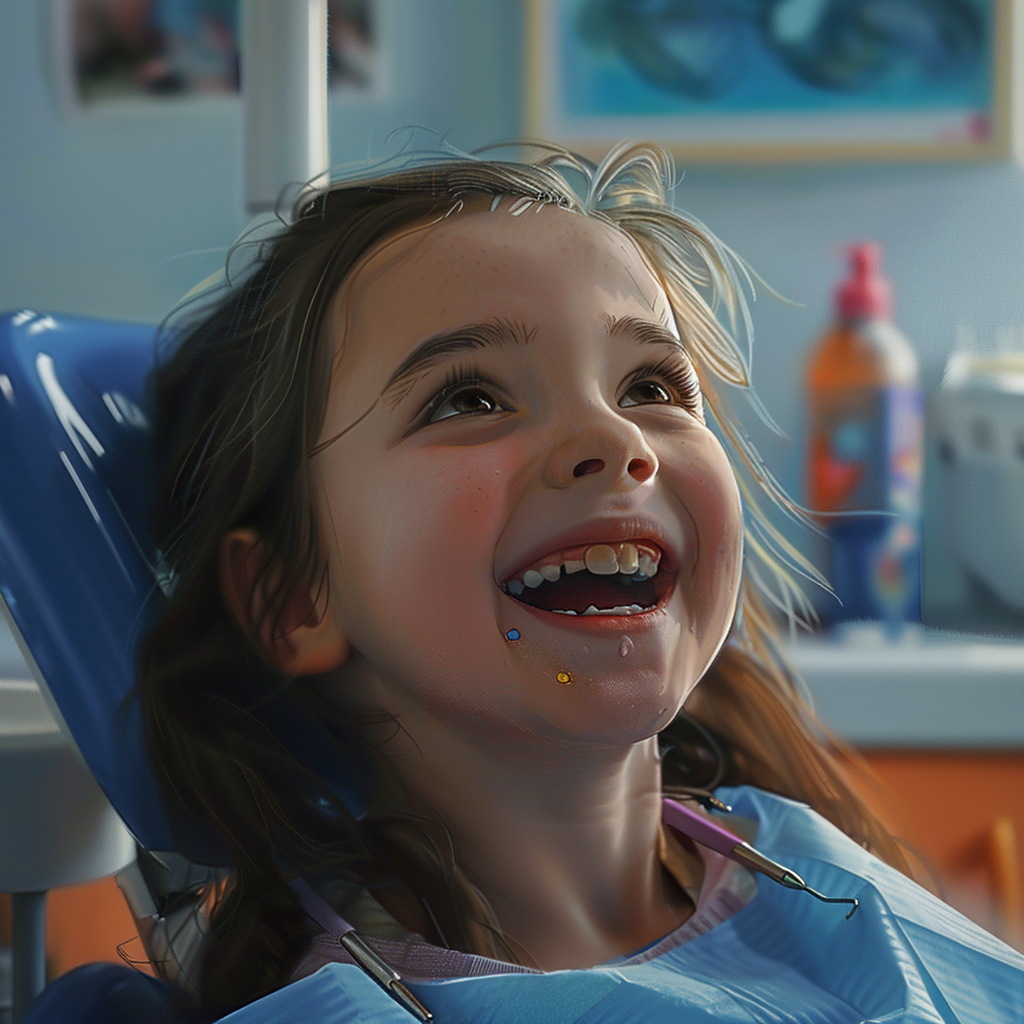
(307, 641)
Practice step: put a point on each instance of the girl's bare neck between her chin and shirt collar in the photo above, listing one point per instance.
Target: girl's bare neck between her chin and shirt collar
(561, 839)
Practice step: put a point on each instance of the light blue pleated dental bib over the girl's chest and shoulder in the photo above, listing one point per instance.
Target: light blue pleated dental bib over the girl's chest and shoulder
(785, 959)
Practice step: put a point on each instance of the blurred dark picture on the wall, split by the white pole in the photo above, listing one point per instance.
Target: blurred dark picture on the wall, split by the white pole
(114, 55)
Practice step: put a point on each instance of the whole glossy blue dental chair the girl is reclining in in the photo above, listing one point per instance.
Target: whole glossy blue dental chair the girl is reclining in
(80, 581)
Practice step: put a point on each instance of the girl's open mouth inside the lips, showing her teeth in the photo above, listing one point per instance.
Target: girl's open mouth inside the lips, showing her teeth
(593, 580)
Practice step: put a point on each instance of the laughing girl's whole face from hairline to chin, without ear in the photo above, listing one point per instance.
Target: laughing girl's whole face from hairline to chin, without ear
(535, 446)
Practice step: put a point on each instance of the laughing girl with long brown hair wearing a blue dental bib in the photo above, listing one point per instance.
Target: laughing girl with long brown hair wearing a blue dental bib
(453, 544)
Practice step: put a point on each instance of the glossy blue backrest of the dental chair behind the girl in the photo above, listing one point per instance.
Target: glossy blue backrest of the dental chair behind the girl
(78, 573)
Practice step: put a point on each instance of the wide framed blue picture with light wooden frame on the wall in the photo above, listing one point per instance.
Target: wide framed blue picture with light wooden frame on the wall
(756, 80)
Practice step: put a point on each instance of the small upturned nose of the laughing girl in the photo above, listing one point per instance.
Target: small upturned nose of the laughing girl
(602, 445)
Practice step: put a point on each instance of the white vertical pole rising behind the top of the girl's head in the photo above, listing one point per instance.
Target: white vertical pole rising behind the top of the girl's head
(284, 91)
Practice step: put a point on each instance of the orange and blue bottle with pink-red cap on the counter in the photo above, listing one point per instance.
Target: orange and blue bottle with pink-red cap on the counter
(866, 430)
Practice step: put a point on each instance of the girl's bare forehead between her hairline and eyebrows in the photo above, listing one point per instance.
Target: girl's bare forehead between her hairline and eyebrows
(544, 266)
